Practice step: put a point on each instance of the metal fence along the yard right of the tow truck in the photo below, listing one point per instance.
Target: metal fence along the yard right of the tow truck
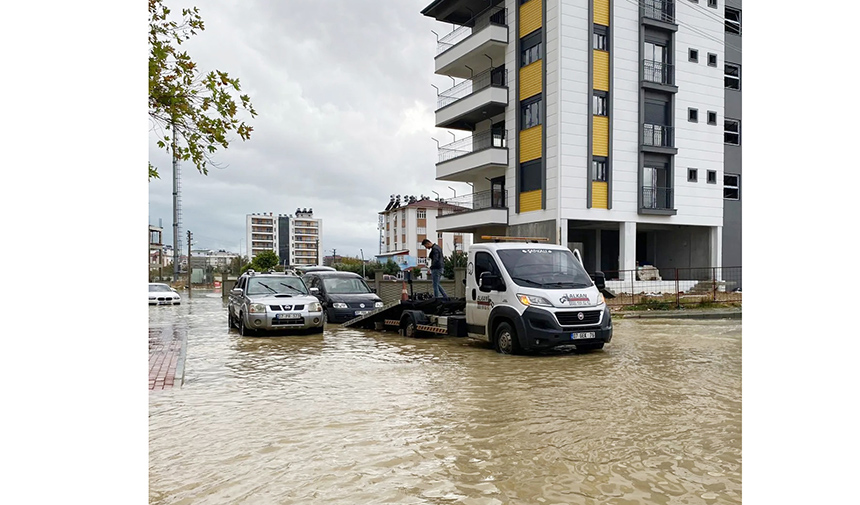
(675, 287)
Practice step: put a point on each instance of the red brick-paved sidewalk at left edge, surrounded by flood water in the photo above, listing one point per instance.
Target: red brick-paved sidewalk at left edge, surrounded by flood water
(166, 357)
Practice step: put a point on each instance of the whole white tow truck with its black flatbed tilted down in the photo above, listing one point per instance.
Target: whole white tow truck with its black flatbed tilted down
(521, 296)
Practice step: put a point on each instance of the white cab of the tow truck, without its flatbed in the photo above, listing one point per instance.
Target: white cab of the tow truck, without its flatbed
(526, 296)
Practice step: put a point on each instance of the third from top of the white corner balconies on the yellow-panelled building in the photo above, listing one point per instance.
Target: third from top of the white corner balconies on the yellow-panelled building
(482, 155)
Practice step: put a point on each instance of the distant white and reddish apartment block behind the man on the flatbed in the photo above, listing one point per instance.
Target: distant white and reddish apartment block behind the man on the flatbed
(405, 224)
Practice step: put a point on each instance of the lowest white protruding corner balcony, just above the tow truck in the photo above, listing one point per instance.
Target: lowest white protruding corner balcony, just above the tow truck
(469, 212)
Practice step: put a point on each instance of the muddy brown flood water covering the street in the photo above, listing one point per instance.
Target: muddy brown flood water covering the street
(364, 417)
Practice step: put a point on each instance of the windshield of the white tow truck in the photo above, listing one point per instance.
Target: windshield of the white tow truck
(547, 268)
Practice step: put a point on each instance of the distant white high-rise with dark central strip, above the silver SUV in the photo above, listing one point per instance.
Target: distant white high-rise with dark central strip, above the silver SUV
(296, 239)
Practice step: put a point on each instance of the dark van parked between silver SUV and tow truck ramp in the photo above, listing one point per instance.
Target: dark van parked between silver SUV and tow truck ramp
(344, 295)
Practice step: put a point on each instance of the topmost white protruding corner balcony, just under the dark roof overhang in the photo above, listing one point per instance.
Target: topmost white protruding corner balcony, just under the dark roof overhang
(480, 43)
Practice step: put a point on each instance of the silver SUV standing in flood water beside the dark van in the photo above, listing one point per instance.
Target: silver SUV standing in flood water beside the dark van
(273, 302)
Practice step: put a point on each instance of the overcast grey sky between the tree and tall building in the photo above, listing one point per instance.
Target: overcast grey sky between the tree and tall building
(345, 118)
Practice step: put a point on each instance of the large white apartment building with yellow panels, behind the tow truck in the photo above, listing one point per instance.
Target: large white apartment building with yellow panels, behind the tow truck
(599, 124)
